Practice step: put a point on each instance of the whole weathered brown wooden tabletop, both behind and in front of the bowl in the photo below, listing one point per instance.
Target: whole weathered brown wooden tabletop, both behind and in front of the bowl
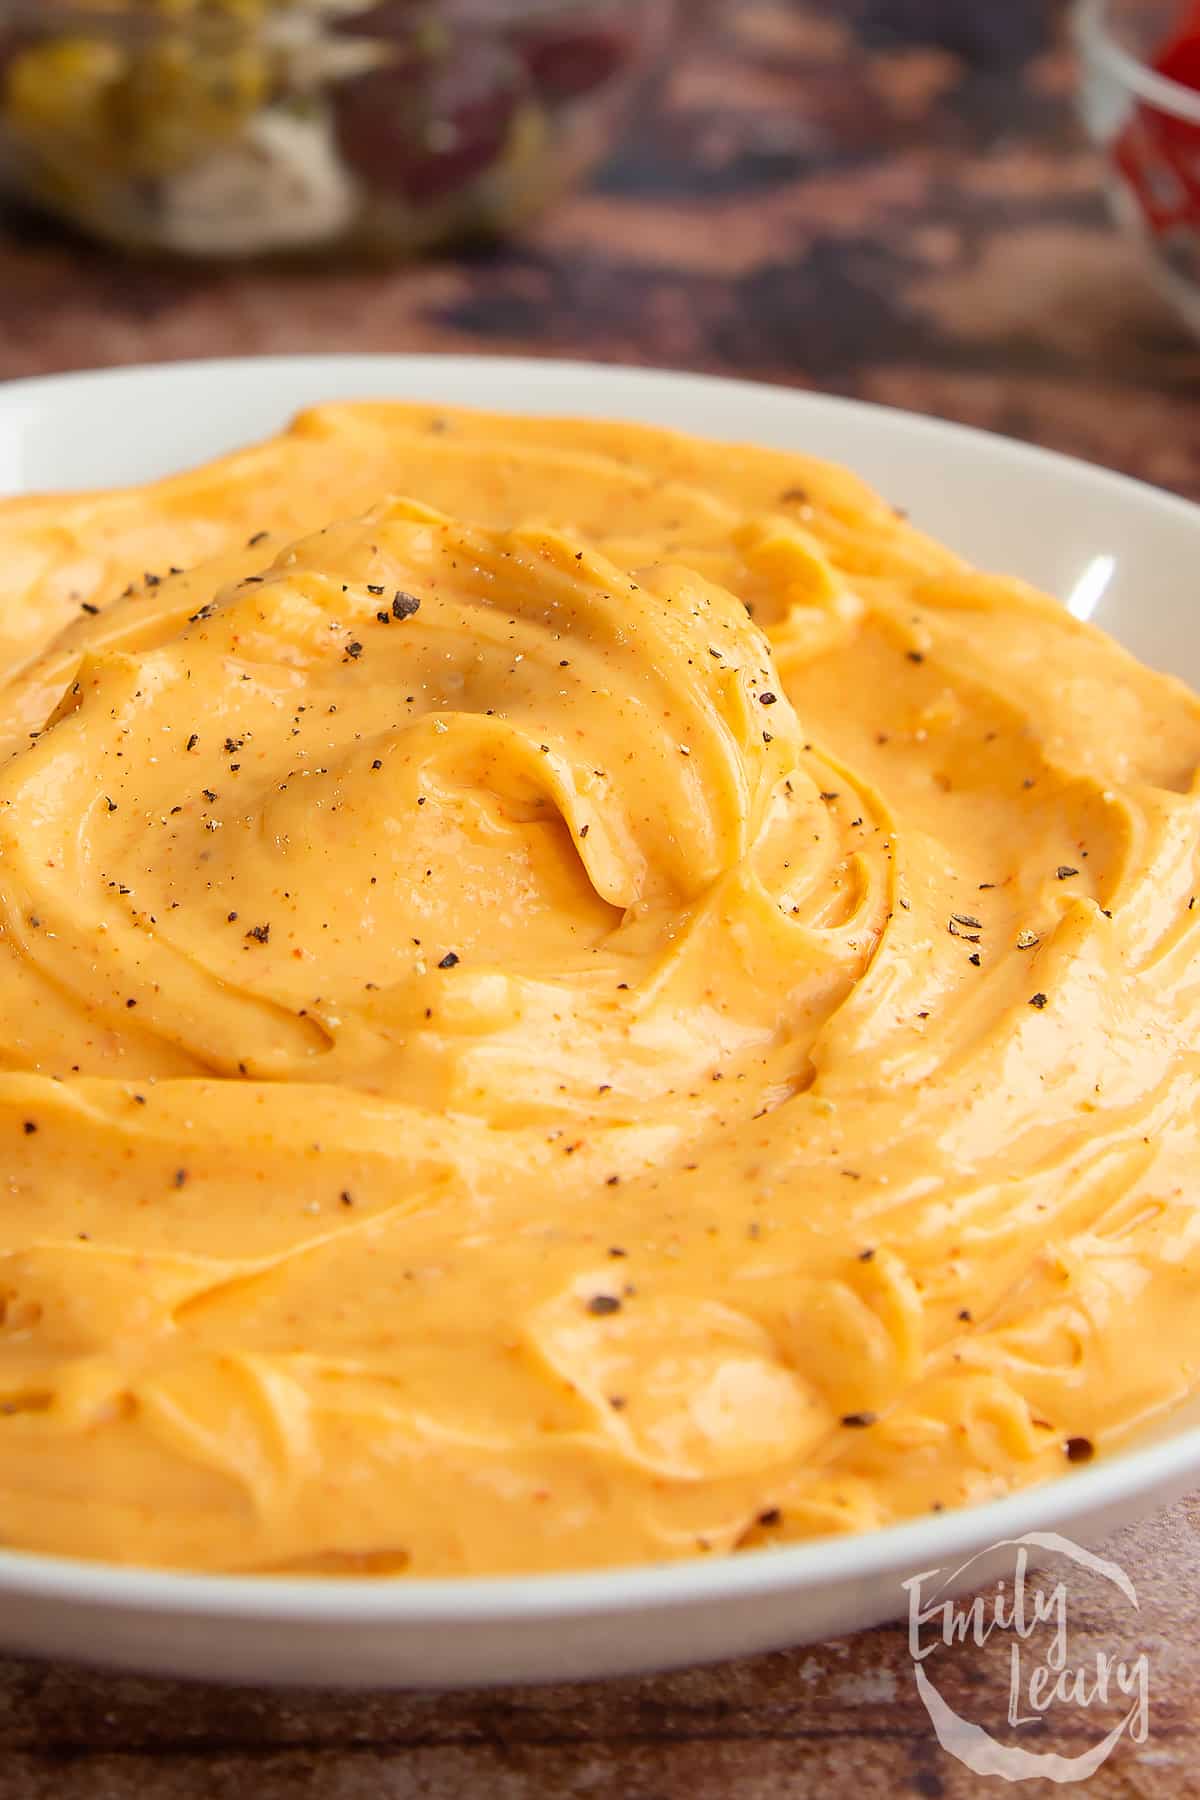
(877, 197)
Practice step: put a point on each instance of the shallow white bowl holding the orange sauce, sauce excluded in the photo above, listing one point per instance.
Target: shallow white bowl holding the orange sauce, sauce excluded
(1120, 553)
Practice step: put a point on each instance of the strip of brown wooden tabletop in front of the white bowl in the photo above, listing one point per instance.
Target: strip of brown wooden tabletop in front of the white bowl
(839, 1720)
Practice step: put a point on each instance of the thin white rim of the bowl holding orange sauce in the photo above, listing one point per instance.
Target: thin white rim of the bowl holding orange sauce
(1140, 1468)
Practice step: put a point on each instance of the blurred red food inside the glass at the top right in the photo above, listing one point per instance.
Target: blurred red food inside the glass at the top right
(1158, 154)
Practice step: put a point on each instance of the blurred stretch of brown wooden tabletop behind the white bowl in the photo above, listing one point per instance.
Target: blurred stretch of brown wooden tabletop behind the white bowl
(886, 199)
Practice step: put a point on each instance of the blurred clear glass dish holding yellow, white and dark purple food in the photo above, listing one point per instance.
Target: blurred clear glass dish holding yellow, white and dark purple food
(238, 129)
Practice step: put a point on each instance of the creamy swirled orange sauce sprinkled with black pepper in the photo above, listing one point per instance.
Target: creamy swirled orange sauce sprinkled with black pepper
(622, 1005)
